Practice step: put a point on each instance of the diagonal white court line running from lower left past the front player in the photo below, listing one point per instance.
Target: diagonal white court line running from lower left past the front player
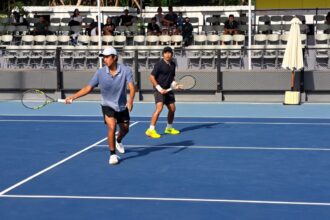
(54, 165)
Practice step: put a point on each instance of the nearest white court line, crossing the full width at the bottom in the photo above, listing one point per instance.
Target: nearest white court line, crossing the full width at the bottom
(167, 199)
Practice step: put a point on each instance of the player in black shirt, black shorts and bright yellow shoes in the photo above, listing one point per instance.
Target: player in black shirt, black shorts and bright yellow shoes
(162, 78)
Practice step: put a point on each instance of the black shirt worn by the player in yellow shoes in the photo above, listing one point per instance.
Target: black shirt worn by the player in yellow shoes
(164, 73)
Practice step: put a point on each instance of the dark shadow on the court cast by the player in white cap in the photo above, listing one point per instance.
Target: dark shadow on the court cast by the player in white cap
(143, 151)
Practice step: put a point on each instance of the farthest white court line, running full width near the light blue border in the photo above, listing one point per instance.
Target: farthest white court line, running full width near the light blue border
(177, 122)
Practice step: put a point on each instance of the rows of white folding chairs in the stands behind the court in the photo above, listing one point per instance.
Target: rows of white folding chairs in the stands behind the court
(268, 43)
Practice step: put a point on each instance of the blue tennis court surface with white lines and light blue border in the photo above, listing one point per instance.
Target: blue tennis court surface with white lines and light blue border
(231, 161)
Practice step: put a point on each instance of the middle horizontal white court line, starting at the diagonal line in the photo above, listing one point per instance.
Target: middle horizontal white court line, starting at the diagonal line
(226, 147)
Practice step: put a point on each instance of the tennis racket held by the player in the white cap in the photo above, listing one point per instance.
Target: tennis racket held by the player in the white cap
(36, 99)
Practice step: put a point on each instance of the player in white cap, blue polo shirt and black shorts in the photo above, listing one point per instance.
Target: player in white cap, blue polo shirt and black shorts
(112, 79)
